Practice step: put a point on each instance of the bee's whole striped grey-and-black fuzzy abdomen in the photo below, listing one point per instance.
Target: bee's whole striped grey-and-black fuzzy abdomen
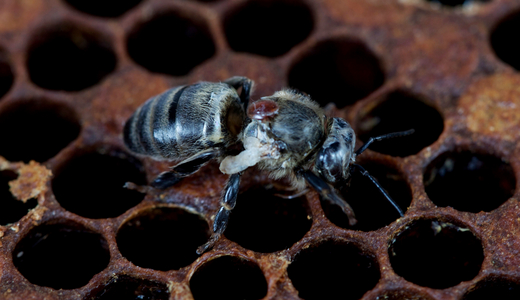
(182, 121)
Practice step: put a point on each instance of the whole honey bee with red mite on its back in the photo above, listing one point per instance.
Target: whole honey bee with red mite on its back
(286, 134)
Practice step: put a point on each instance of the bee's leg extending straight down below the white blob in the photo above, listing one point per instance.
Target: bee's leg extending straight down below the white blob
(228, 201)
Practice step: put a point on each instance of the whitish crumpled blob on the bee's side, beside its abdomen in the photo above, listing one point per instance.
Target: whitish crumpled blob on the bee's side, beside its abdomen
(253, 153)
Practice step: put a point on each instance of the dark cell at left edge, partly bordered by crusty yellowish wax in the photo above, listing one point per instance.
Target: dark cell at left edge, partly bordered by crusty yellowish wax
(11, 209)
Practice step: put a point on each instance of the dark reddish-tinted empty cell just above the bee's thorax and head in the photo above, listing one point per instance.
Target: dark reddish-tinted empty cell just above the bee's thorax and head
(340, 71)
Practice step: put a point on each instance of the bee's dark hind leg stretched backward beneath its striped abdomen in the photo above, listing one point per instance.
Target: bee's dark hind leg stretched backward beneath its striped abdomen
(184, 168)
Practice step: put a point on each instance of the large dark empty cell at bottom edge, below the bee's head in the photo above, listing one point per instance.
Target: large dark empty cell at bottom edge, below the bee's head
(333, 270)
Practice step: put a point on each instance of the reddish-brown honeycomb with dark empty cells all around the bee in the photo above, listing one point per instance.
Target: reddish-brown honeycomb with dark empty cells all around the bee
(72, 72)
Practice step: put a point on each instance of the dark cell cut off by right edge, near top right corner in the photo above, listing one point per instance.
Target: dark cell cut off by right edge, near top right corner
(503, 40)
